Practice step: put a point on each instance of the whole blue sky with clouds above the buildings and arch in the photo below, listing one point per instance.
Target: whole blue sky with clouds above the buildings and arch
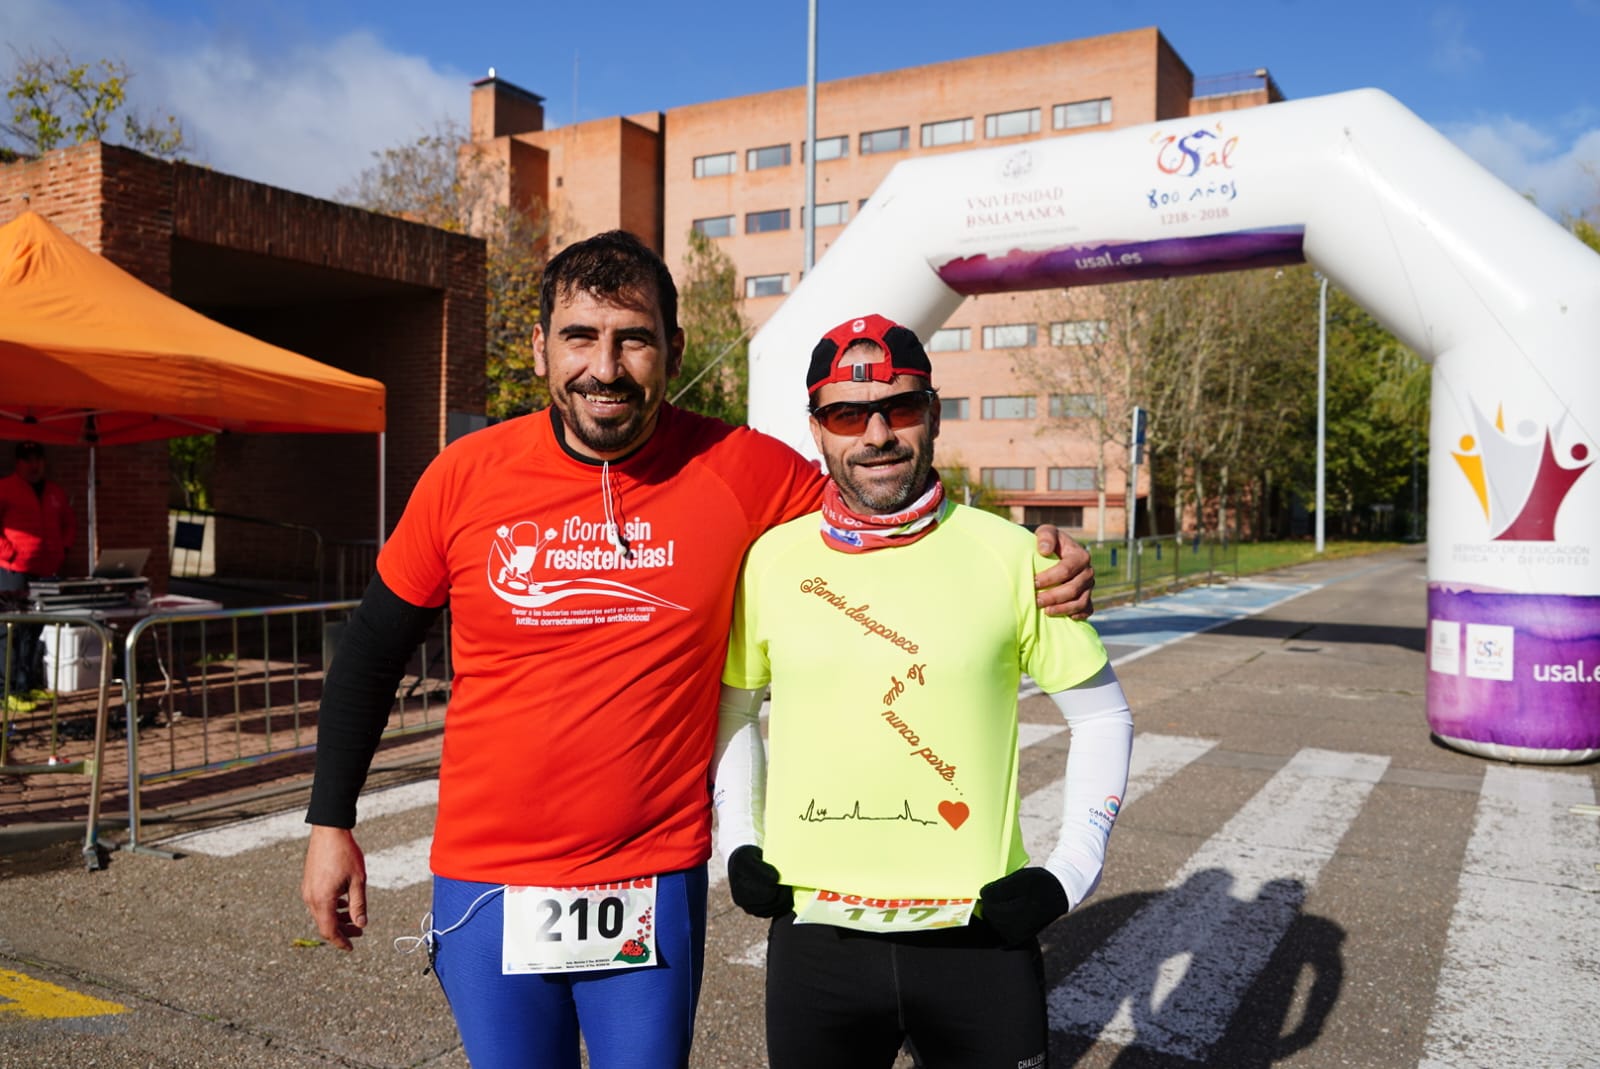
(302, 94)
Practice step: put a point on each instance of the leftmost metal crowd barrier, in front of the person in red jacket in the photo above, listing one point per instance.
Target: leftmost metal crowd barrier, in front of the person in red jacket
(65, 630)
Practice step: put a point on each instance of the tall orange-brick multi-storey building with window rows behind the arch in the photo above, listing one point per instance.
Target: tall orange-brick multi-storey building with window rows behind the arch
(734, 169)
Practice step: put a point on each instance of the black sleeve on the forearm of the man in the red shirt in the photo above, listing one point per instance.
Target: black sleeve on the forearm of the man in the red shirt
(358, 695)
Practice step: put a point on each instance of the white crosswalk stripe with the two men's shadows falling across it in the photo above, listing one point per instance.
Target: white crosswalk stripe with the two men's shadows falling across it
(1172, 979)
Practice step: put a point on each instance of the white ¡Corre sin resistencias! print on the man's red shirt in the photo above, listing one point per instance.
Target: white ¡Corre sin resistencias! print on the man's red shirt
(534, 566)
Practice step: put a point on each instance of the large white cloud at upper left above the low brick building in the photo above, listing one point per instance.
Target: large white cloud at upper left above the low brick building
(303, 114)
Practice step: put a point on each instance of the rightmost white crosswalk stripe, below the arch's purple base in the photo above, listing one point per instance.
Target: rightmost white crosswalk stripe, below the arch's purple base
(1508, 993)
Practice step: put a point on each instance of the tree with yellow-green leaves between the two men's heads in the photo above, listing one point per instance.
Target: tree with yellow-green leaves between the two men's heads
(716, 375)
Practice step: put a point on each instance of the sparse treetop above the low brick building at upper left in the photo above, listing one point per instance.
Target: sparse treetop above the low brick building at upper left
(57, 102)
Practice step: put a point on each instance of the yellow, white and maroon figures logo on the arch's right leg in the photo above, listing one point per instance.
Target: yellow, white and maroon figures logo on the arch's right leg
(1521, 476)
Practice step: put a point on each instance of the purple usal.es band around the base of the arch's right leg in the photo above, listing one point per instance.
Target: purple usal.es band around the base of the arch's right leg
(1514, 673)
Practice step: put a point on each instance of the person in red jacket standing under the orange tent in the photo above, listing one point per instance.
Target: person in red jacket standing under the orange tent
(36, 534)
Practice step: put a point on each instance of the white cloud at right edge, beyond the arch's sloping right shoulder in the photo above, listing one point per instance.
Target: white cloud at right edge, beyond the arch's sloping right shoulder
(1562, 175)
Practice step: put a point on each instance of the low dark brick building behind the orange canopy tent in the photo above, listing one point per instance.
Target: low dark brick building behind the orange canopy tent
(372, 295)
